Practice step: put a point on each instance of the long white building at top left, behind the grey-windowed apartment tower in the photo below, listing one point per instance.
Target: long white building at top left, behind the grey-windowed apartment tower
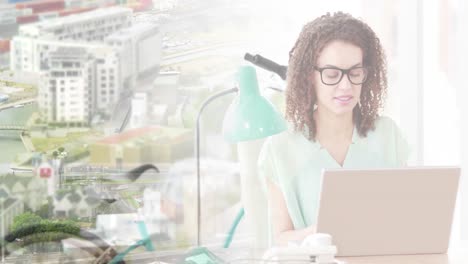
(29, 53)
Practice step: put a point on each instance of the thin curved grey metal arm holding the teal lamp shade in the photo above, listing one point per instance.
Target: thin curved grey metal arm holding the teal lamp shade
(197, 150)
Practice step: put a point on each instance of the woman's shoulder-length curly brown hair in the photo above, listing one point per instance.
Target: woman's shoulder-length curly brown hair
(300, 92)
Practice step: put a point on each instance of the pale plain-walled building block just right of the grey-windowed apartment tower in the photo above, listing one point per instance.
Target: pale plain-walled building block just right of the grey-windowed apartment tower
(140, 49)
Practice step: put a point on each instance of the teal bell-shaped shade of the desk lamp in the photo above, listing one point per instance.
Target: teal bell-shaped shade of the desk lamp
(251, 116)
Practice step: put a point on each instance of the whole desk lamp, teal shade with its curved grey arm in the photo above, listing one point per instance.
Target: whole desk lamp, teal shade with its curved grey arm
(250, 116)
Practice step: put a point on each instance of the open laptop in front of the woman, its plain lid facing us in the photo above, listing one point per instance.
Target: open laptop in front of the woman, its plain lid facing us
(388, 211)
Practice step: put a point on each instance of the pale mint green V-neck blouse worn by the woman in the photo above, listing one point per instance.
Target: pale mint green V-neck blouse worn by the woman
(295, 164)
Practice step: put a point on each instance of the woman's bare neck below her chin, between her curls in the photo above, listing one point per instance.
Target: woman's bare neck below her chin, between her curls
(330, 125)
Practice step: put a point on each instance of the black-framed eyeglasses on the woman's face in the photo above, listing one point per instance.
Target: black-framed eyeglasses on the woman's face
(333, 75)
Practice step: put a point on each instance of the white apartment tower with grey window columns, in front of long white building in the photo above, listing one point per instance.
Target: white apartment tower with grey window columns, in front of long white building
(77, 80)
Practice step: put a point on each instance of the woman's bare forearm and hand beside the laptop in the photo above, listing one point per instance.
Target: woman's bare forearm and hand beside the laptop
(283, 229)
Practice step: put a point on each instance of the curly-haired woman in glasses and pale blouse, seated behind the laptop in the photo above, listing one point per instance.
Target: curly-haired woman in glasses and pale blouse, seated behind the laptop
(336, 86)
